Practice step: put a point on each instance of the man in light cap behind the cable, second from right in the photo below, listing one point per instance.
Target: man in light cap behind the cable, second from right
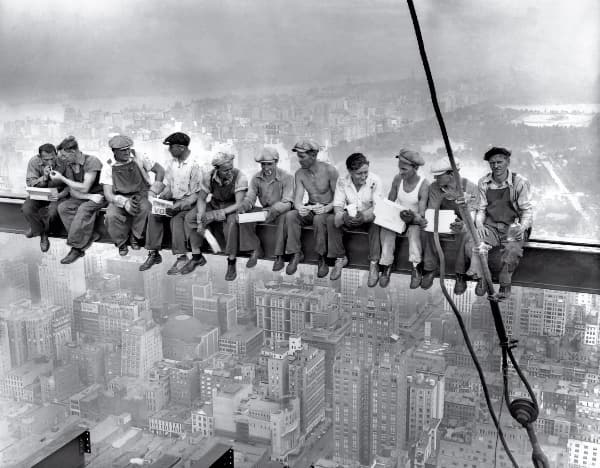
(443, 194)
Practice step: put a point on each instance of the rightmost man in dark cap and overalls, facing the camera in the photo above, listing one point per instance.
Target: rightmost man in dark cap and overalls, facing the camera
(504, 217)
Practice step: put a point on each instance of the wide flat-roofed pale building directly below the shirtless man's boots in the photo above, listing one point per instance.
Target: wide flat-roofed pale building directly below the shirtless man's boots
(283, 309)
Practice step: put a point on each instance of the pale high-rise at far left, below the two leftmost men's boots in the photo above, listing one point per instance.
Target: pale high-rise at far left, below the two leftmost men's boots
(60, 284)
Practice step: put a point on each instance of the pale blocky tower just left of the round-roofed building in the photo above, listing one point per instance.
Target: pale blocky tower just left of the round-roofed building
(141, 348)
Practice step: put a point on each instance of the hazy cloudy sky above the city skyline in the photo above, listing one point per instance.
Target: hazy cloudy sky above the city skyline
(91, 48)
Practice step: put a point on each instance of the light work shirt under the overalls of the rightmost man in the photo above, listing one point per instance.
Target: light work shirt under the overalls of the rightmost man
(520, 196)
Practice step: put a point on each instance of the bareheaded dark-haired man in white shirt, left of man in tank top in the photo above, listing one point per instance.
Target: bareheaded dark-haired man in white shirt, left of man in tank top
(354, 206)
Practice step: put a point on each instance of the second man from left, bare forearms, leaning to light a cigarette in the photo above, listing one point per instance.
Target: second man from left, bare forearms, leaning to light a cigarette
(79, 210)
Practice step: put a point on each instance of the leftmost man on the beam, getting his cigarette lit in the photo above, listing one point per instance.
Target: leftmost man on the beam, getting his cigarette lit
(39, 213)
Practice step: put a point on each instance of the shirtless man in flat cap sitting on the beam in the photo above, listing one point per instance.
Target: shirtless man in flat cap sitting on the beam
(318, 179)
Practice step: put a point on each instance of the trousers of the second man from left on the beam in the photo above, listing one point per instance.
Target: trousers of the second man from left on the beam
(79, 217)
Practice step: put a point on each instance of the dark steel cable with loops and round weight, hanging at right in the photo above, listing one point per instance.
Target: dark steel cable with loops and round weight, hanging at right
(523, 410)
